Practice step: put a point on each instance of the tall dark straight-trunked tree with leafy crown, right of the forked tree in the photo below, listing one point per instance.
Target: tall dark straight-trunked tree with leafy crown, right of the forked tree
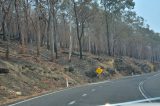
(114, 7)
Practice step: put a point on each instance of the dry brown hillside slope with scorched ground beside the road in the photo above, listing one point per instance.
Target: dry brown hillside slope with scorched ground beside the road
(30, 75)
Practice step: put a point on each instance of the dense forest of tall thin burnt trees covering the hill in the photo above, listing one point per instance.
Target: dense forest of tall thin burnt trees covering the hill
(100, 27)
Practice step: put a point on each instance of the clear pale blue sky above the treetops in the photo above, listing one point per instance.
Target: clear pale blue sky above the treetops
(150, 11)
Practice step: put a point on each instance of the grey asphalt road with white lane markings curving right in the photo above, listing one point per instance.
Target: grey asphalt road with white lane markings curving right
(128, 89)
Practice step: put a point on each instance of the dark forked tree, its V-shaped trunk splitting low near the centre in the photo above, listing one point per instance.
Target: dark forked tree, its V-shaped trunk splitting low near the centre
(82, 12)
